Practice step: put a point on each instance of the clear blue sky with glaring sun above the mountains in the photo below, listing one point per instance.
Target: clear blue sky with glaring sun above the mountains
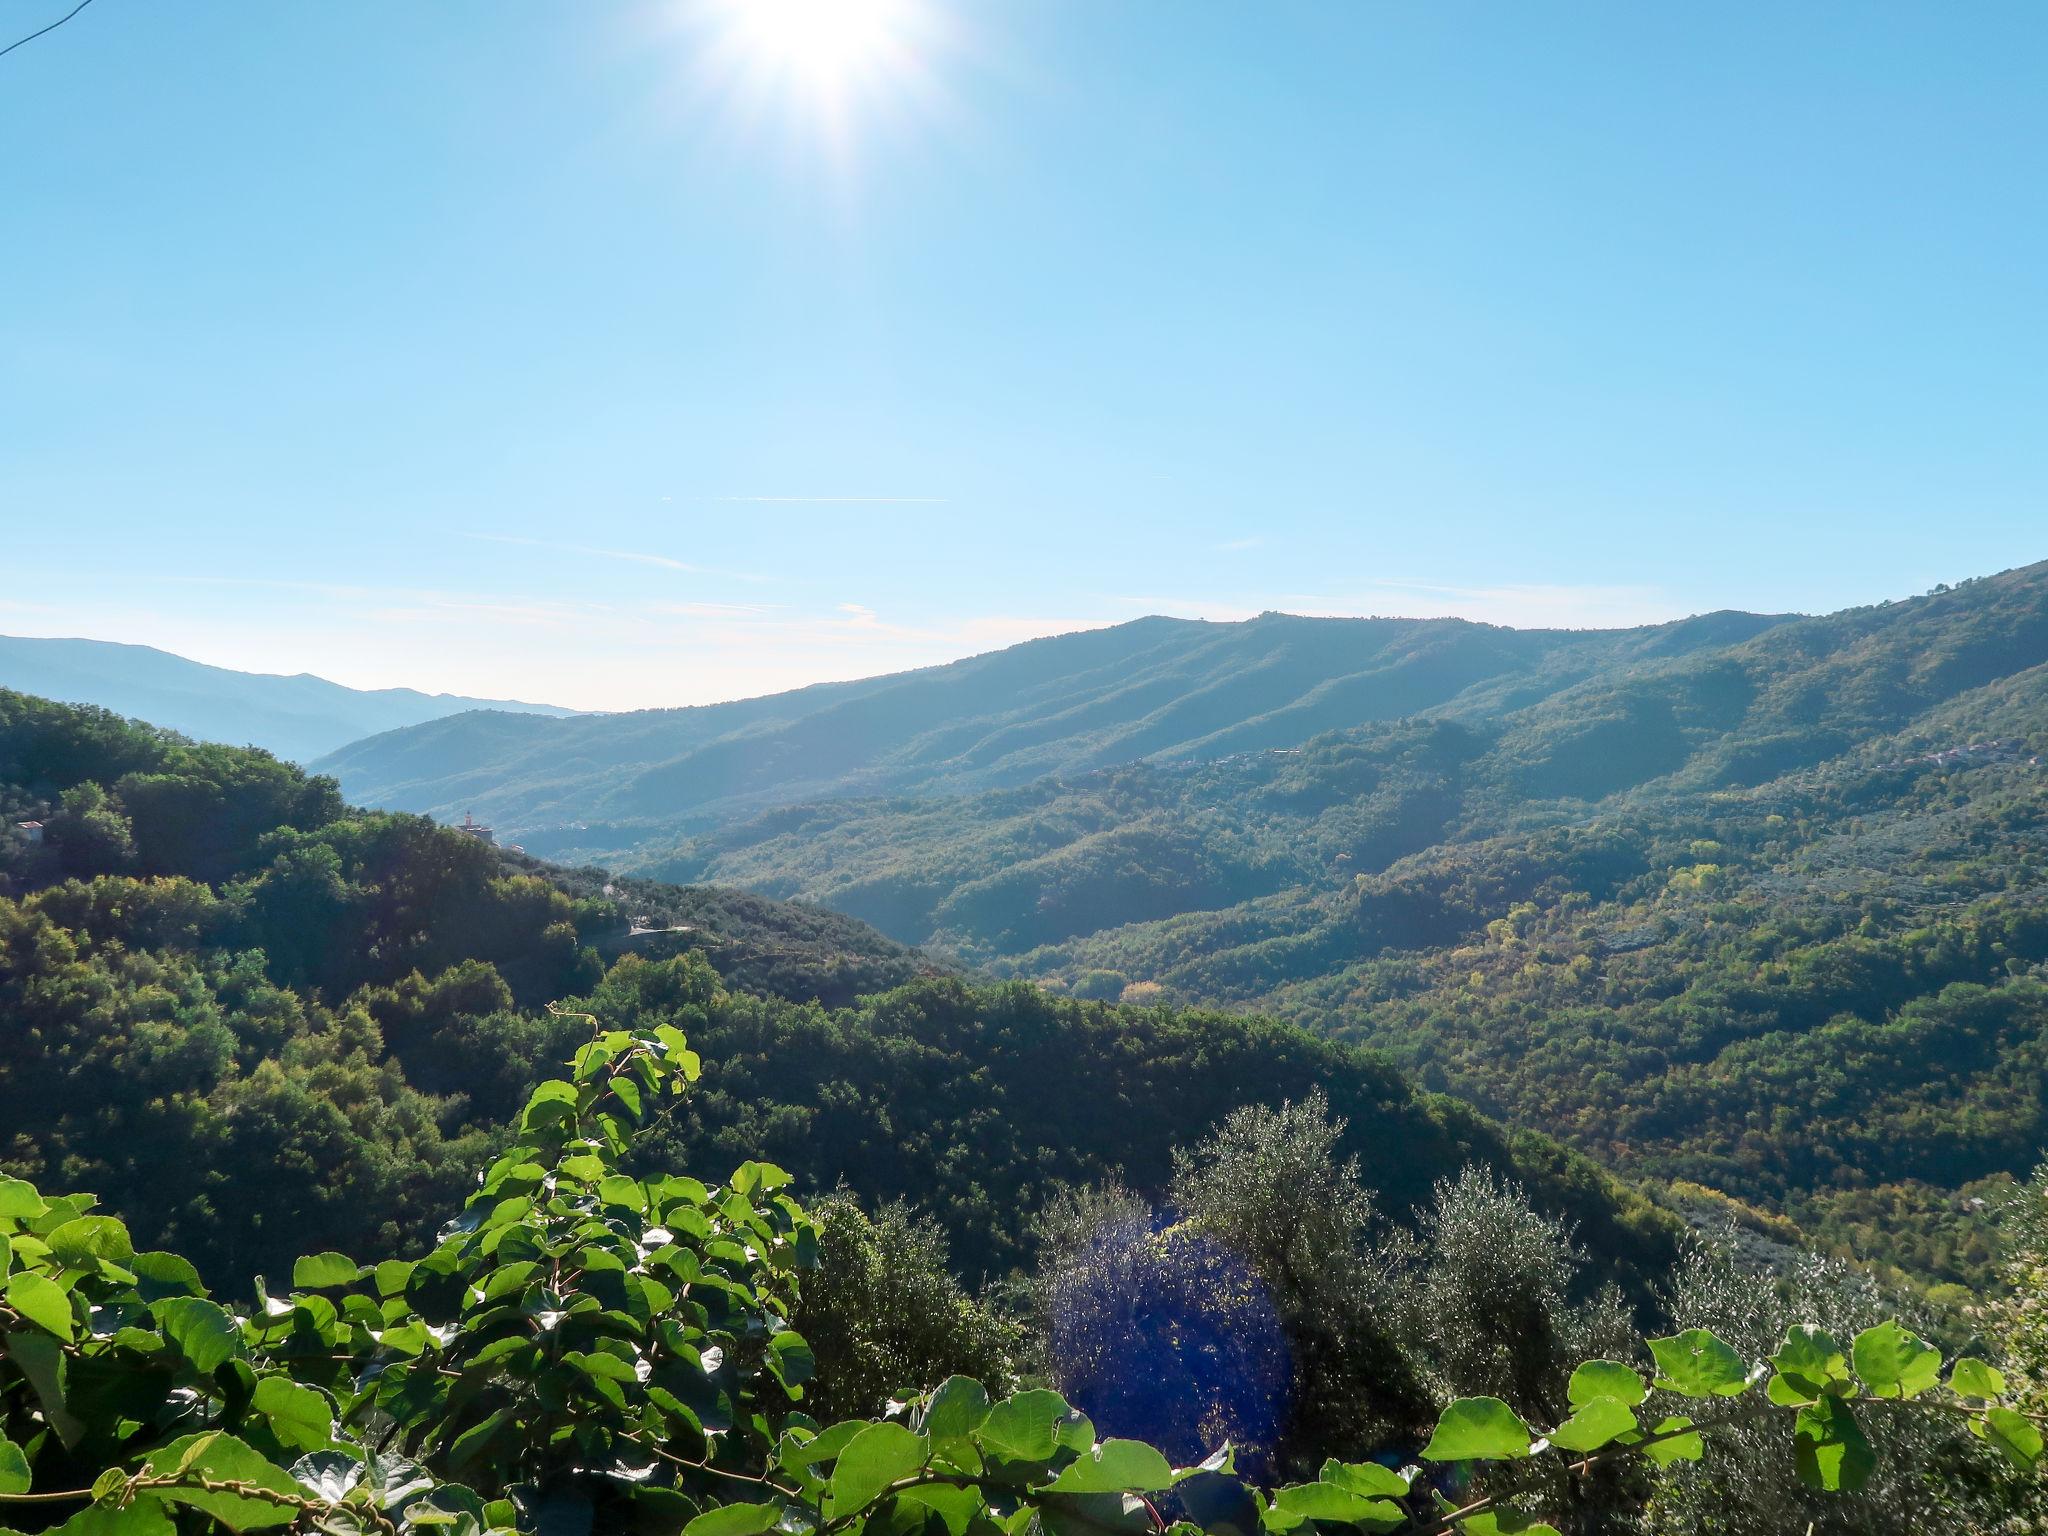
(450, 345)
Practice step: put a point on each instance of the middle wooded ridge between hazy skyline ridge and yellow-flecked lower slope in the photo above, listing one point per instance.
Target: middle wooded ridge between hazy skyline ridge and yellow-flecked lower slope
(1002, 871)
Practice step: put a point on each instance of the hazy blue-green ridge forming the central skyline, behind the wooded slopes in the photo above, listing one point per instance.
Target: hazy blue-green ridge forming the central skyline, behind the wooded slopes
(1154, 689)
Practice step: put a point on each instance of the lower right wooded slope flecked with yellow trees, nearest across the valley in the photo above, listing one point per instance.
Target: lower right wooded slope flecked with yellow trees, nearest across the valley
(1826, 996)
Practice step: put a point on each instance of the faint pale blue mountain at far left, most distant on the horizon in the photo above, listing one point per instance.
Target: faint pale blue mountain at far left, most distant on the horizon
(298, 718)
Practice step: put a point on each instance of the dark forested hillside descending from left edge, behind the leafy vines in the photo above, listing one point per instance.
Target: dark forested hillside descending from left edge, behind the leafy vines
(212, 972)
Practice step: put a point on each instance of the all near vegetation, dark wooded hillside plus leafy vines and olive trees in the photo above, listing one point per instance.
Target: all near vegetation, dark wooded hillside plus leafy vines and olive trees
(259, 1025)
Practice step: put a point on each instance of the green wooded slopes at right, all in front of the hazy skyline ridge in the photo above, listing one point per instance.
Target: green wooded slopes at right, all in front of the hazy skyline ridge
(1764, 919)
